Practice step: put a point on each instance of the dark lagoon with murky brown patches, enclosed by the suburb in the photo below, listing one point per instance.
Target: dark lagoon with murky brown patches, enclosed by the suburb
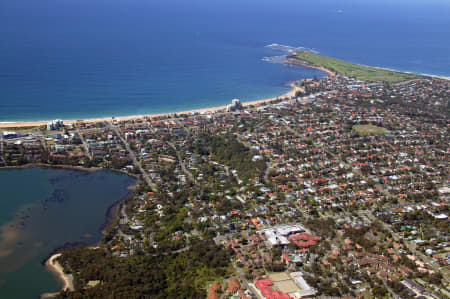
(42, 209)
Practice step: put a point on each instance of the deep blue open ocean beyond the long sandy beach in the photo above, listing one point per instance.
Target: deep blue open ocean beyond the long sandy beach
(92, 58)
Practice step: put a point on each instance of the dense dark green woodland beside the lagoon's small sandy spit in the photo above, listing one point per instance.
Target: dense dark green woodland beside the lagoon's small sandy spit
(181, 275)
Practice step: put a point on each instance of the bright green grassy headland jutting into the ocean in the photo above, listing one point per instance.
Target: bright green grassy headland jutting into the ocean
(349, 69)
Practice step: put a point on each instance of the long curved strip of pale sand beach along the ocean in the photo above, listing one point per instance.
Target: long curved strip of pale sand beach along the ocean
(23, 124)
